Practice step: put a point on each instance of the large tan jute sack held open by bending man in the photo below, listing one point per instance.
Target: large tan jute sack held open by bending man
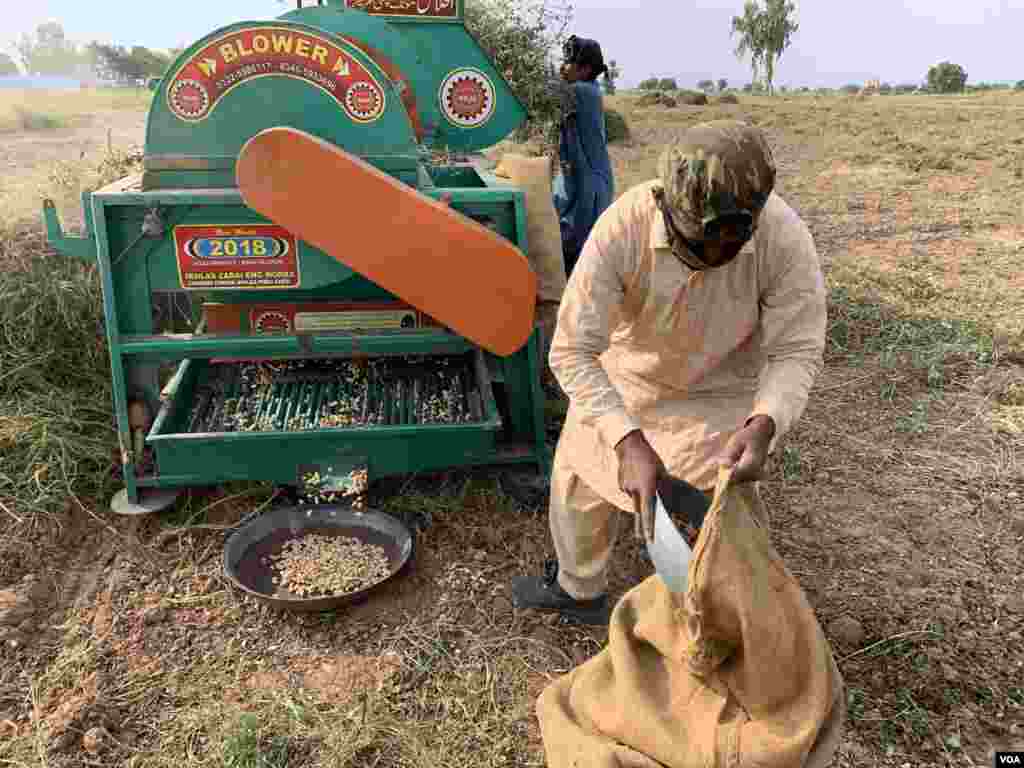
(735, 674)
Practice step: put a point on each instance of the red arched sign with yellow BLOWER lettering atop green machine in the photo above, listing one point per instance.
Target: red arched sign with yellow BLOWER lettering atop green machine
(245, 55)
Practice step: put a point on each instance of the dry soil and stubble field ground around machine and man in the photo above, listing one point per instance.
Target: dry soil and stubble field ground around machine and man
(899, 501)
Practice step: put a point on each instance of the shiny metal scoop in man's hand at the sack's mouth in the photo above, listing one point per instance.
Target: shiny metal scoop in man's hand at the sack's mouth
(668, 548)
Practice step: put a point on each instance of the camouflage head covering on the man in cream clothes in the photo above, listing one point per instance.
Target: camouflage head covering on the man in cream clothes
(718, 172)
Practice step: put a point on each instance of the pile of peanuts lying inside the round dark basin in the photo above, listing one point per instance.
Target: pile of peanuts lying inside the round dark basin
(319, 566)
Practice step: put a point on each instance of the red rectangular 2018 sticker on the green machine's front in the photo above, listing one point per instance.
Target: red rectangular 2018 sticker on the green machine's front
(251, 257)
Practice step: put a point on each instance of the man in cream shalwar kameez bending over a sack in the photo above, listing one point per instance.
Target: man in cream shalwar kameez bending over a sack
(689, 337)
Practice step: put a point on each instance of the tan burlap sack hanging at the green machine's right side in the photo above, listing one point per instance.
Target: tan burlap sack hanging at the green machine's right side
(544, 236)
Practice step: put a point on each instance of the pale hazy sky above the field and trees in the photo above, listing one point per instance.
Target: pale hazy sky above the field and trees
(838, 42)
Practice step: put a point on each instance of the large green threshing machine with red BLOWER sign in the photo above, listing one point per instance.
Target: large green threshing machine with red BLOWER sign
(241, 352)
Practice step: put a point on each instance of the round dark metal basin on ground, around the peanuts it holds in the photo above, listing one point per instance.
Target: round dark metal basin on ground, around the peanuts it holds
(265, 537)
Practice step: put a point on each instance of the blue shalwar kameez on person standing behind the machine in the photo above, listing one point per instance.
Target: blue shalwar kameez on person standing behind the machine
(586, 187)
